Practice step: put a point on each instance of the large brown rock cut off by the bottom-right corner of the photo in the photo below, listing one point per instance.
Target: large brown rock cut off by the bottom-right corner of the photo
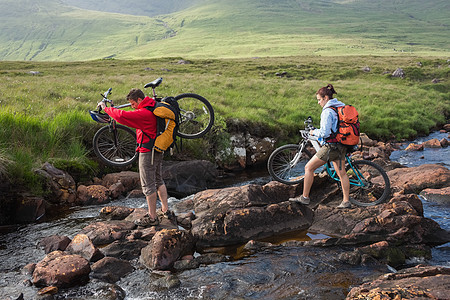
(420, 282)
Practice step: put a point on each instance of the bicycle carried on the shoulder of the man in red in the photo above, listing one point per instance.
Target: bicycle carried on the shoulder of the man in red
(115, 144)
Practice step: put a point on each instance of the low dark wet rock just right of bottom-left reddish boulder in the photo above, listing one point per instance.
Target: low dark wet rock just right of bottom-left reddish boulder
(111, 269)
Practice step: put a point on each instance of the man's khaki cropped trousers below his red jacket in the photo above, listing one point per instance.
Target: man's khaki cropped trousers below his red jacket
(150, 174)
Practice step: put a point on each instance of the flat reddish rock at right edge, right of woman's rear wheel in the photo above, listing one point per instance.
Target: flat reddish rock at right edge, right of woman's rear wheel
(414, 180)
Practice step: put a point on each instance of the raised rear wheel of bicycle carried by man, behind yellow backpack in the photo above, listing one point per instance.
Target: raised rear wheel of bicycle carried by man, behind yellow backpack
(196, 116)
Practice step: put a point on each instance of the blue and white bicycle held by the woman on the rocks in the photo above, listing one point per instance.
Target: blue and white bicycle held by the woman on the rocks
(369, 183)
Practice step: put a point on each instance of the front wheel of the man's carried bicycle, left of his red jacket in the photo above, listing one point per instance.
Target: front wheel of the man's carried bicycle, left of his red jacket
(116, 148)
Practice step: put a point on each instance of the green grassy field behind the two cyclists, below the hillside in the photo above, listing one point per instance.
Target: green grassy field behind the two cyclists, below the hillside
(44, 105)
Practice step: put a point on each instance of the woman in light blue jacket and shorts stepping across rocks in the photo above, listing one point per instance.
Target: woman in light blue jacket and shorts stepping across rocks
(330, 150)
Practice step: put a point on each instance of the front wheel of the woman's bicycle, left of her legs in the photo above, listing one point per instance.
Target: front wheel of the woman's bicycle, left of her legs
(287, 165)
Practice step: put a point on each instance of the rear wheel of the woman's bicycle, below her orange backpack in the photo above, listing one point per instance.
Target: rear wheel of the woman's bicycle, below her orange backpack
(369, 183)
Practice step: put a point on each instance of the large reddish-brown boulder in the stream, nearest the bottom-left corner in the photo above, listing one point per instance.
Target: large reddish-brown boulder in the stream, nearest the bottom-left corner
(61, 270)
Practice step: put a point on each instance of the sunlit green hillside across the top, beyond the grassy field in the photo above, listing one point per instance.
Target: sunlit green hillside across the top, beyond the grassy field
(79, 30)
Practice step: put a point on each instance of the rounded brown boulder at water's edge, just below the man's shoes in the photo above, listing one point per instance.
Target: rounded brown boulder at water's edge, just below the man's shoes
(166, 247)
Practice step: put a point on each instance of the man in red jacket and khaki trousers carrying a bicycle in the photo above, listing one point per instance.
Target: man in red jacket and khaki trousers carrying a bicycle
(150, 161)
